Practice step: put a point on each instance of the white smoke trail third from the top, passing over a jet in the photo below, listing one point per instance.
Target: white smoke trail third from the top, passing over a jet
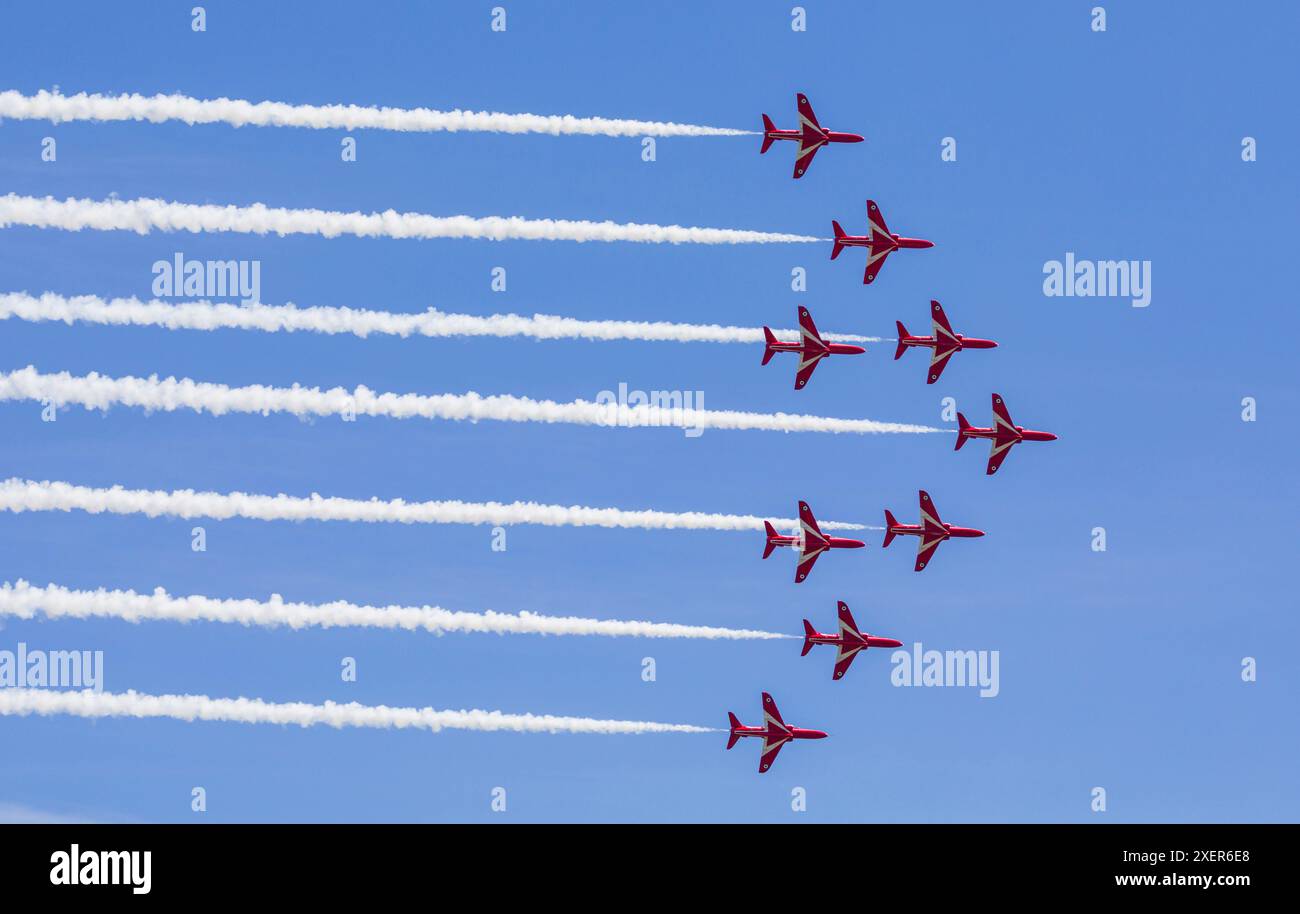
(202, 315)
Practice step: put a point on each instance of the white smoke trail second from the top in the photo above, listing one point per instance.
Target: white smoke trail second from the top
(148, 215)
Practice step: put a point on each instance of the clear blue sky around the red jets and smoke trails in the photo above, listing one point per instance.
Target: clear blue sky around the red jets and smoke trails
(1119, 670)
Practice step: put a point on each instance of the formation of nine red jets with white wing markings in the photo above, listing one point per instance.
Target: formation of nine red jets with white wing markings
(808, 540)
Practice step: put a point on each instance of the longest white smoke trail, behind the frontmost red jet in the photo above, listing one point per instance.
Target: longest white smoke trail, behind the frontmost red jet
(97, 392)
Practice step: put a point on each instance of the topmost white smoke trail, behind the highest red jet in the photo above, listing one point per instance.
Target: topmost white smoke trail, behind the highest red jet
(239, 114)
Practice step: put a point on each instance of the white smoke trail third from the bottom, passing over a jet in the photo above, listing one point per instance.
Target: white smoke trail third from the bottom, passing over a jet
(21, 496)
